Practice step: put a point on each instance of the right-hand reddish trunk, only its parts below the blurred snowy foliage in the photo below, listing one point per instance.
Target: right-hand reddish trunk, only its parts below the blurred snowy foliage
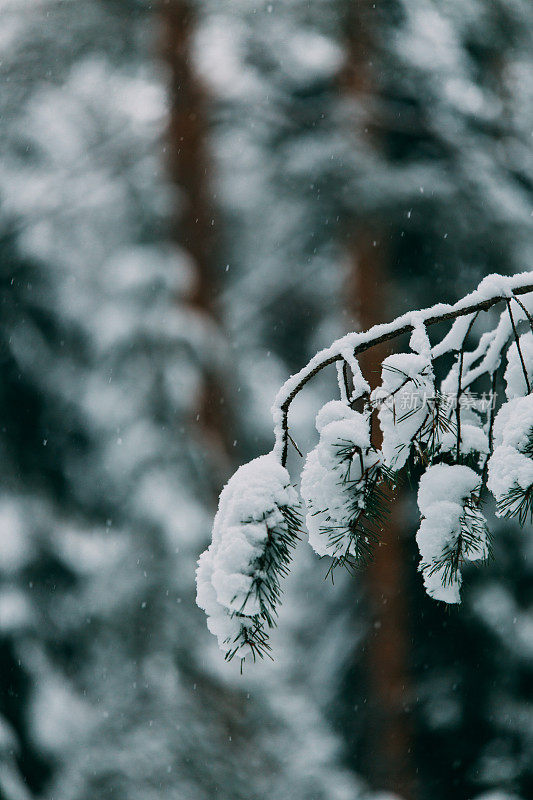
(389, 735)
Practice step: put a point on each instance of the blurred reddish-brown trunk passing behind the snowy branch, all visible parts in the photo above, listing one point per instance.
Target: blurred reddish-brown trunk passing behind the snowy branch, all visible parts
(388, 745)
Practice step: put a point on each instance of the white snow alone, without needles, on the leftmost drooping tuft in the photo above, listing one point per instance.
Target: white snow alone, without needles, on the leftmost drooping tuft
(229, 579)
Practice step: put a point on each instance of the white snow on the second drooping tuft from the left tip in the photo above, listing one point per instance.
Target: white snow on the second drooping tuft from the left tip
(332, 478)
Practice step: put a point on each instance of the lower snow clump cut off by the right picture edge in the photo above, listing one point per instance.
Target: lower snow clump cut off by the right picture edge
(510, 466)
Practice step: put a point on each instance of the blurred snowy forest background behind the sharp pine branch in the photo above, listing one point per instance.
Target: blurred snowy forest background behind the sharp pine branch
(194, 197)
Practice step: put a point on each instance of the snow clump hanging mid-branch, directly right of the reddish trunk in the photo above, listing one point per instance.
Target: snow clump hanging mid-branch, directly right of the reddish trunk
(402, 399)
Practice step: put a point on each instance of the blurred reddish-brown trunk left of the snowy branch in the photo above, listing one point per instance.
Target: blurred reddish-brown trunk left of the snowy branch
(194, 223)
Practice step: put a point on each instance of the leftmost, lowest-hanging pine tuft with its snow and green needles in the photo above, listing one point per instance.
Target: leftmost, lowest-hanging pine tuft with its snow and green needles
(238, 576)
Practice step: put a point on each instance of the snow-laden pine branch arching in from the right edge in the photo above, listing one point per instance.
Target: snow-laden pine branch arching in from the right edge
(430, 425)
